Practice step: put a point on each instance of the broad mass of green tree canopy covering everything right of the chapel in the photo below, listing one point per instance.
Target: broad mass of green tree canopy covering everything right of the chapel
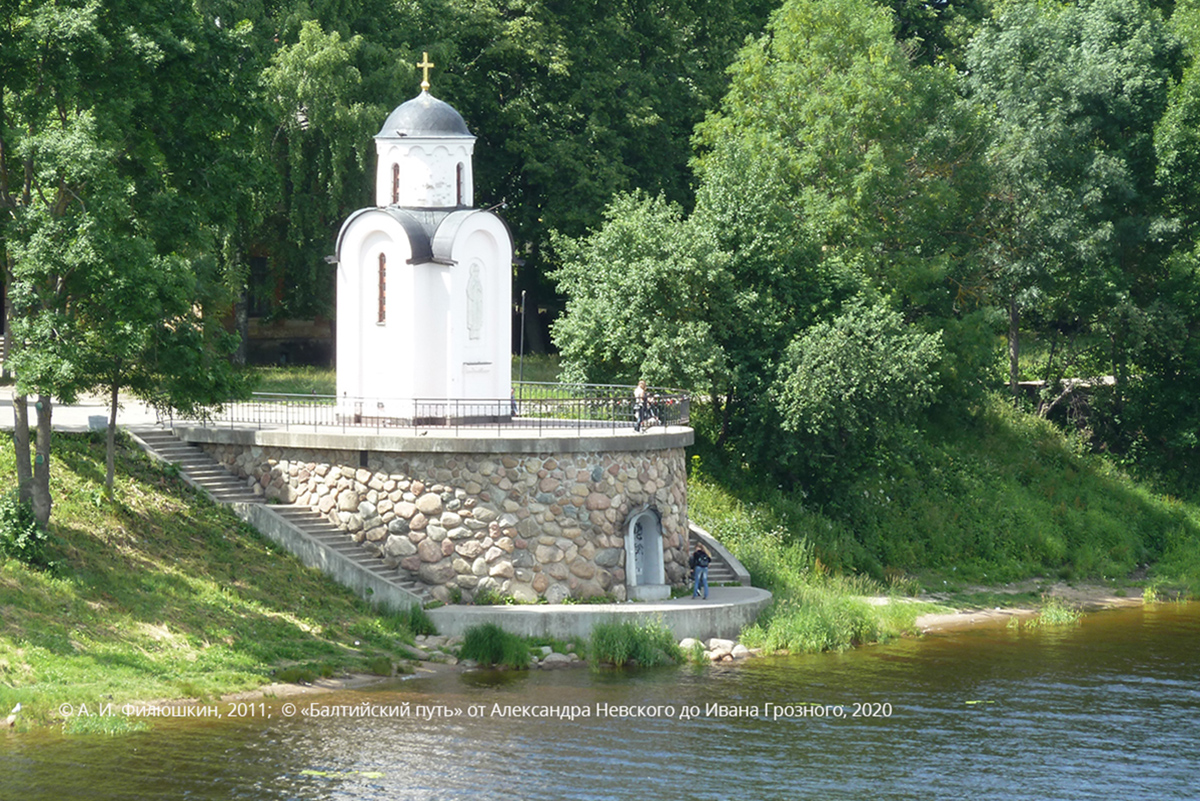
(1028, 180)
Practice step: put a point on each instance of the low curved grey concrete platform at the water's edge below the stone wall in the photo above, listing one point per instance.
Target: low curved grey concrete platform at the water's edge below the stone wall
(724, 615)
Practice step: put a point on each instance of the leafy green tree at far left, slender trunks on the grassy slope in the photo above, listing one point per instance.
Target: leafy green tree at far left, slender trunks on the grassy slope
(99, 168)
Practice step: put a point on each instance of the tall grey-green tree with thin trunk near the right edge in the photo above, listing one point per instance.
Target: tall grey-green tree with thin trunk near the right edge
(1075, 93)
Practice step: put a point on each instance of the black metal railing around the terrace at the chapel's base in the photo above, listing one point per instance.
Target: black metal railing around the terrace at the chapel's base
(542, 408)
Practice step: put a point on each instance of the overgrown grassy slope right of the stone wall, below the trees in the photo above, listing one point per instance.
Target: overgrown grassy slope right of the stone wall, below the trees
(993, 499)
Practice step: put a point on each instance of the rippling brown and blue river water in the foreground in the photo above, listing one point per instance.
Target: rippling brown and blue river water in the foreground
(1109, 709)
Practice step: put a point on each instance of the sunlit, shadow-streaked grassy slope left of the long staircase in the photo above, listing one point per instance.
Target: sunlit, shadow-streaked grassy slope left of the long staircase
(164, 594)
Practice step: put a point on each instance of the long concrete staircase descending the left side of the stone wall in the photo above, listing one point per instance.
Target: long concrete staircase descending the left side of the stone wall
(315, 540)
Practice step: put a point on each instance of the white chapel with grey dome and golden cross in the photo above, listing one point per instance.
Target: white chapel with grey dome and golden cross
(424, 279)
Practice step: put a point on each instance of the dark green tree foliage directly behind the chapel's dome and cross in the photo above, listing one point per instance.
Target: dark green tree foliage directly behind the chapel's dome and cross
(573, 105)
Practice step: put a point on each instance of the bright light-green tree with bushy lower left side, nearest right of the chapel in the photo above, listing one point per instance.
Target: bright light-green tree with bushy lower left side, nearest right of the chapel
(835, 168)
